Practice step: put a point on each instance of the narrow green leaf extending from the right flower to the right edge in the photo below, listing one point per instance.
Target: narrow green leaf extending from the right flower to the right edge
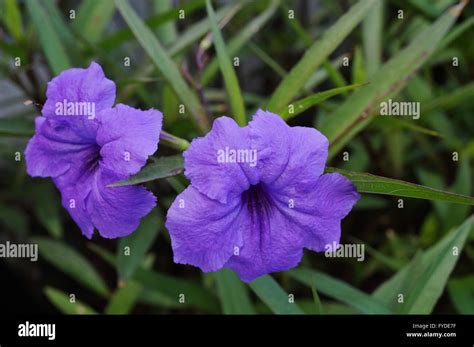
(368, 183)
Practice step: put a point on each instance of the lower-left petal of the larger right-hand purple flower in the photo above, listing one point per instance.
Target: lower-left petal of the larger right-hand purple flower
(203, 232)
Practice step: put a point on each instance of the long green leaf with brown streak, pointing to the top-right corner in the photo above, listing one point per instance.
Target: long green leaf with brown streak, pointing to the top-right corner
(358, 110)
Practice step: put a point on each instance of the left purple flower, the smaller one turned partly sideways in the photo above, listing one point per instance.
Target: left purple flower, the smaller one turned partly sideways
(84, 144)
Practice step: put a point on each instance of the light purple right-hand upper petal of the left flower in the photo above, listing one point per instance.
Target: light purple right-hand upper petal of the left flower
(127, 136)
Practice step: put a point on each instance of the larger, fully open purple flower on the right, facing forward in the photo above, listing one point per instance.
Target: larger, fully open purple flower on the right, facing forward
(257, 197)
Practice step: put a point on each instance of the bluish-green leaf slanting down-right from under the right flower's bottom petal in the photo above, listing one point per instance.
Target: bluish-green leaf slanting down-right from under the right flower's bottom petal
(270, 292)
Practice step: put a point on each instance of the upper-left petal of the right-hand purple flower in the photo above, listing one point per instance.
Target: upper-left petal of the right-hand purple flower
(221, 181)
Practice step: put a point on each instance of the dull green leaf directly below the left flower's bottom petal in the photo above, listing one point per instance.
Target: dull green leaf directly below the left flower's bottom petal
(133, 248)
